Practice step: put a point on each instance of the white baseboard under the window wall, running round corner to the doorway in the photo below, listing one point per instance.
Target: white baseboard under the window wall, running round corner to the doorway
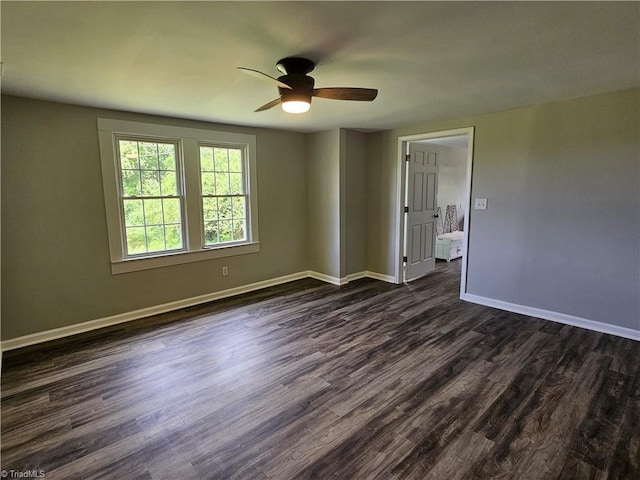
(83, 327)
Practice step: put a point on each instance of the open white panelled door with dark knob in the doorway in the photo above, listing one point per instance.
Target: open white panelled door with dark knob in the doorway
(420, 211)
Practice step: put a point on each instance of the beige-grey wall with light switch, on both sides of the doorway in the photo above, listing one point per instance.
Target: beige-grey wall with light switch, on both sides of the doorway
(561, 229)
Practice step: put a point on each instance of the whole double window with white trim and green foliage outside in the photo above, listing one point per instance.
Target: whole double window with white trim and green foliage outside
(176, 195)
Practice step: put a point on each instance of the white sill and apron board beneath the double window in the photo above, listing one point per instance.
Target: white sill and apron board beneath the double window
(166, 260)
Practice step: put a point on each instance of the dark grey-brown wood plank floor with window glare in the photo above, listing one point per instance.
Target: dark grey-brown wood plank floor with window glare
(311, 381)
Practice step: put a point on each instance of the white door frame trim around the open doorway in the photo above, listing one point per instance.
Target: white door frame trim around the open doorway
(403, 142)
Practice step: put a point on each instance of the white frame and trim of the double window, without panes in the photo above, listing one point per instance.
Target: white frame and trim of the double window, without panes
(189, 141)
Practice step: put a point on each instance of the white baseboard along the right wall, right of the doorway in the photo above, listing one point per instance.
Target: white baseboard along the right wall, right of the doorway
(554, 316)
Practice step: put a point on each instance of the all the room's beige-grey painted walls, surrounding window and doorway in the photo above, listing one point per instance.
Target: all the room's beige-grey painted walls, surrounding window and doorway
(560, 233)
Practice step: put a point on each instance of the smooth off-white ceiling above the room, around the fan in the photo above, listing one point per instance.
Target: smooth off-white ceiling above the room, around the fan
(429, 60)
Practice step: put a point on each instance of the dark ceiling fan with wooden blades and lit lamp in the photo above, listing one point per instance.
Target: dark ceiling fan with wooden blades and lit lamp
(296, 88)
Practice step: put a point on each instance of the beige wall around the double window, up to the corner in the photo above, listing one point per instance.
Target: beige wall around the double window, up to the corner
(55, 257)
